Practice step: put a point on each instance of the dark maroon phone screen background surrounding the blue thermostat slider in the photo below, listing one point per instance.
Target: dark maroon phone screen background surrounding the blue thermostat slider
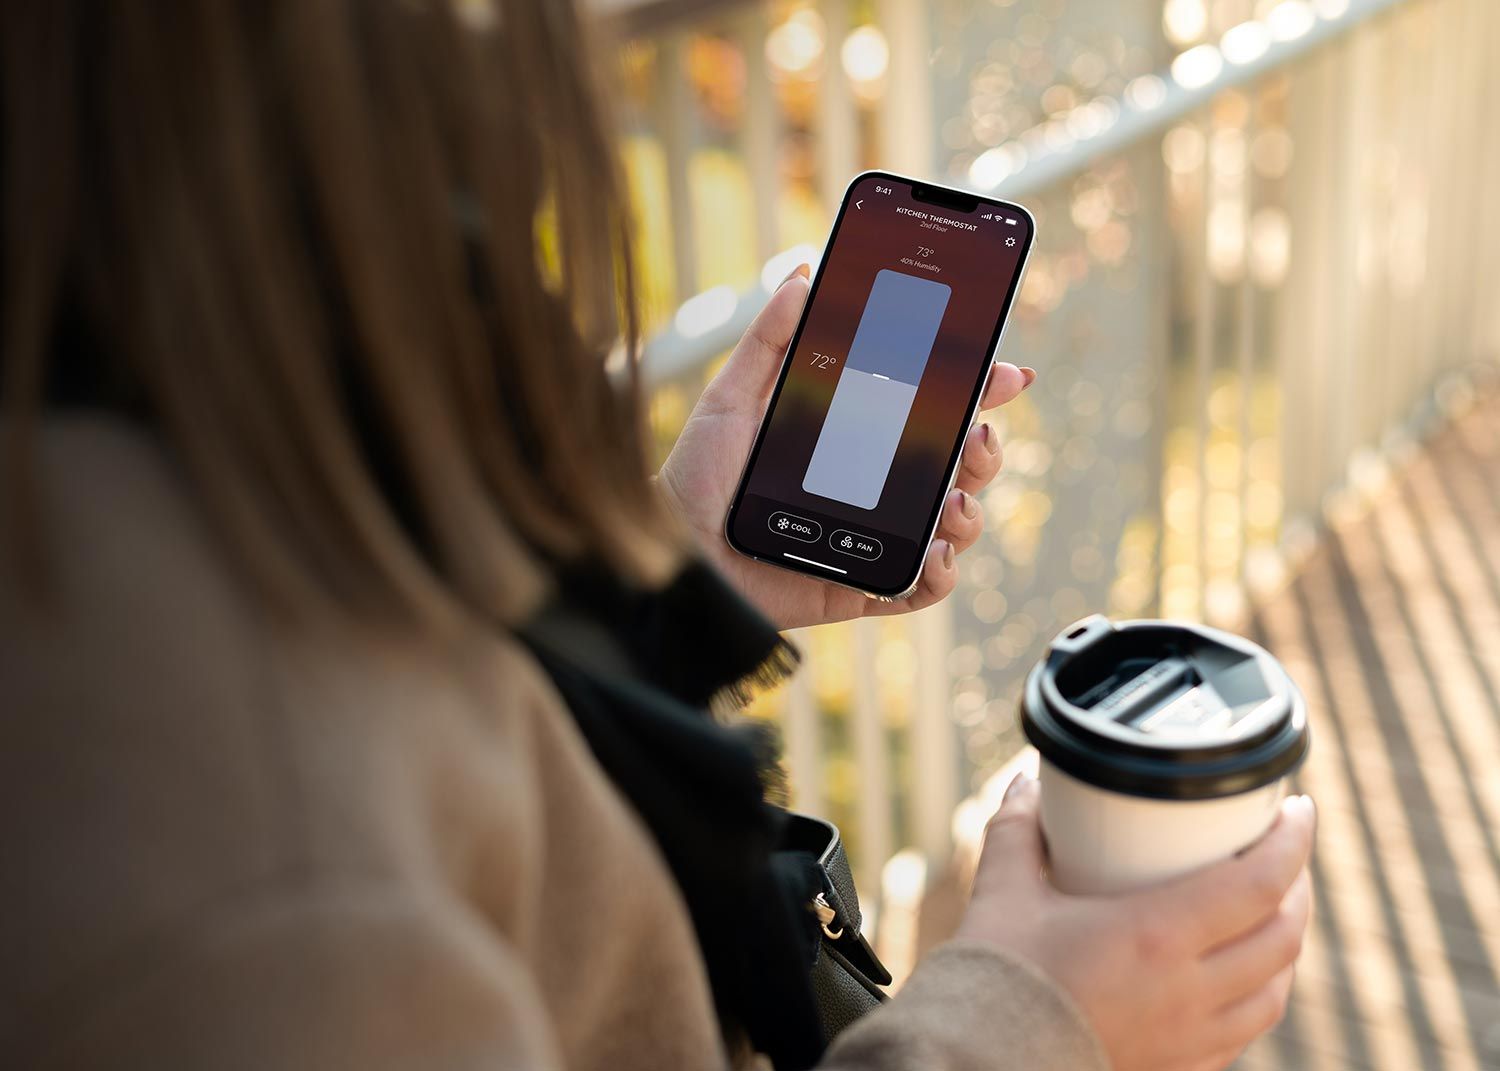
(980, 268)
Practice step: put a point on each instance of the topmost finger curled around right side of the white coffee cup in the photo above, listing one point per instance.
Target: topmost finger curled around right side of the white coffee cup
(1232, 898)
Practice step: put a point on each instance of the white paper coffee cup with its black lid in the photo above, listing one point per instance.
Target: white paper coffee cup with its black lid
(1165, 748)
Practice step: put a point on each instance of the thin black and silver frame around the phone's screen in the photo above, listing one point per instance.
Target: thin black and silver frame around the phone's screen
(916, 185)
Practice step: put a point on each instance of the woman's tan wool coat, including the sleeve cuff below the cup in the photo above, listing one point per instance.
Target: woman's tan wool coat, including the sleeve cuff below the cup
(230, 850)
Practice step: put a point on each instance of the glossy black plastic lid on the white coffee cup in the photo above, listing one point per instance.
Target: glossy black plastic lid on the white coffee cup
(1165, 710)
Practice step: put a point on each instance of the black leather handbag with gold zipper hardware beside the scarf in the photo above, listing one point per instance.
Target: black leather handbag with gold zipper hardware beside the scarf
(847, 974)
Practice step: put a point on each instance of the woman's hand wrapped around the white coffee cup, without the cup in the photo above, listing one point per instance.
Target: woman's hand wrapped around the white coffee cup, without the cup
(1180, 977)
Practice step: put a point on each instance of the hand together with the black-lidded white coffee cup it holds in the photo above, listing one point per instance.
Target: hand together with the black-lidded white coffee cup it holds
(1172, 920)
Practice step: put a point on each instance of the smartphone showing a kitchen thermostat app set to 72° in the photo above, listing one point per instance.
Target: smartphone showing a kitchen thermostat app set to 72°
(865, 433)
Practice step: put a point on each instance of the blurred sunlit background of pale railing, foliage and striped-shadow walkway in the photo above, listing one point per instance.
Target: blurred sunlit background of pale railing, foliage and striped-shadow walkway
(1262, 298)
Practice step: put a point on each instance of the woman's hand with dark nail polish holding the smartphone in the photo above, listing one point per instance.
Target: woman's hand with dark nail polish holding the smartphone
(701, 475)
